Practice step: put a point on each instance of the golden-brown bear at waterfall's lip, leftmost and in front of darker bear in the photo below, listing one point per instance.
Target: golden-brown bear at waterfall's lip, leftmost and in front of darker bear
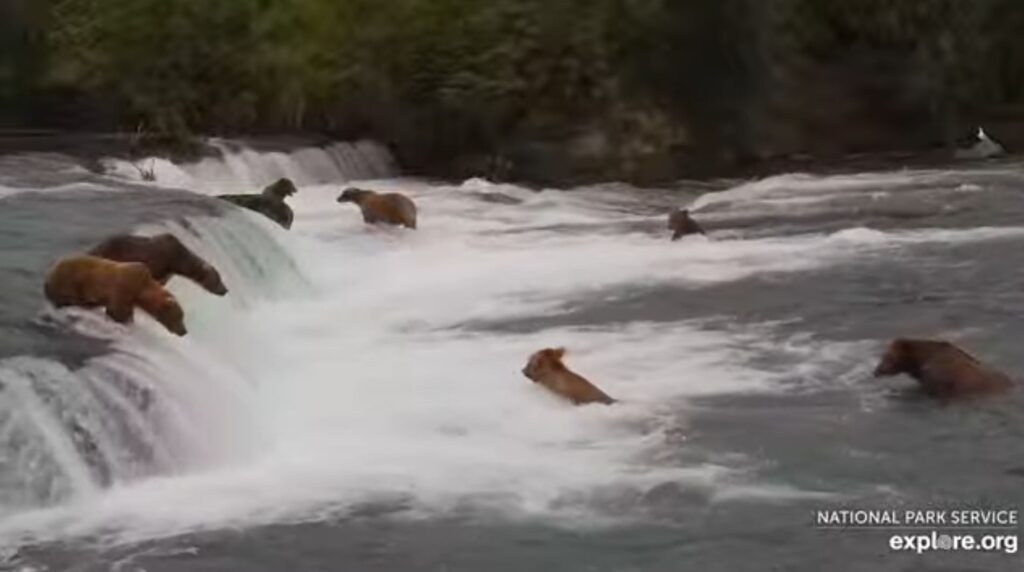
(119, 287)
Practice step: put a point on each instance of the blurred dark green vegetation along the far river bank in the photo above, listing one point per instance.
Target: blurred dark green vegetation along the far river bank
(546, 91)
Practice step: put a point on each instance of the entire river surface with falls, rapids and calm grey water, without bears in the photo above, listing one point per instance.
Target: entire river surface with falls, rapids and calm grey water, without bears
(357, 403)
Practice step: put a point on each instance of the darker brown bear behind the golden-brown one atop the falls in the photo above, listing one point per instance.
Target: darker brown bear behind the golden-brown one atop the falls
(164, 255)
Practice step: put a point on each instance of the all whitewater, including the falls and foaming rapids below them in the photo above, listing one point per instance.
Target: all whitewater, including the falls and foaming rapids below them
(355, 367)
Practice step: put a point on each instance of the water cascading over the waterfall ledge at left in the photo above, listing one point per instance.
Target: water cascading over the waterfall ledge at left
(152, 405)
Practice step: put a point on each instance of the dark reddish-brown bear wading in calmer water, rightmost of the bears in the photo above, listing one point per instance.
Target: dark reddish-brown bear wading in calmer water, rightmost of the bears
(945, 371)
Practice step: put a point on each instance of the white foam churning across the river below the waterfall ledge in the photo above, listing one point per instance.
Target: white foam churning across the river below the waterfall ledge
(348, 380)
